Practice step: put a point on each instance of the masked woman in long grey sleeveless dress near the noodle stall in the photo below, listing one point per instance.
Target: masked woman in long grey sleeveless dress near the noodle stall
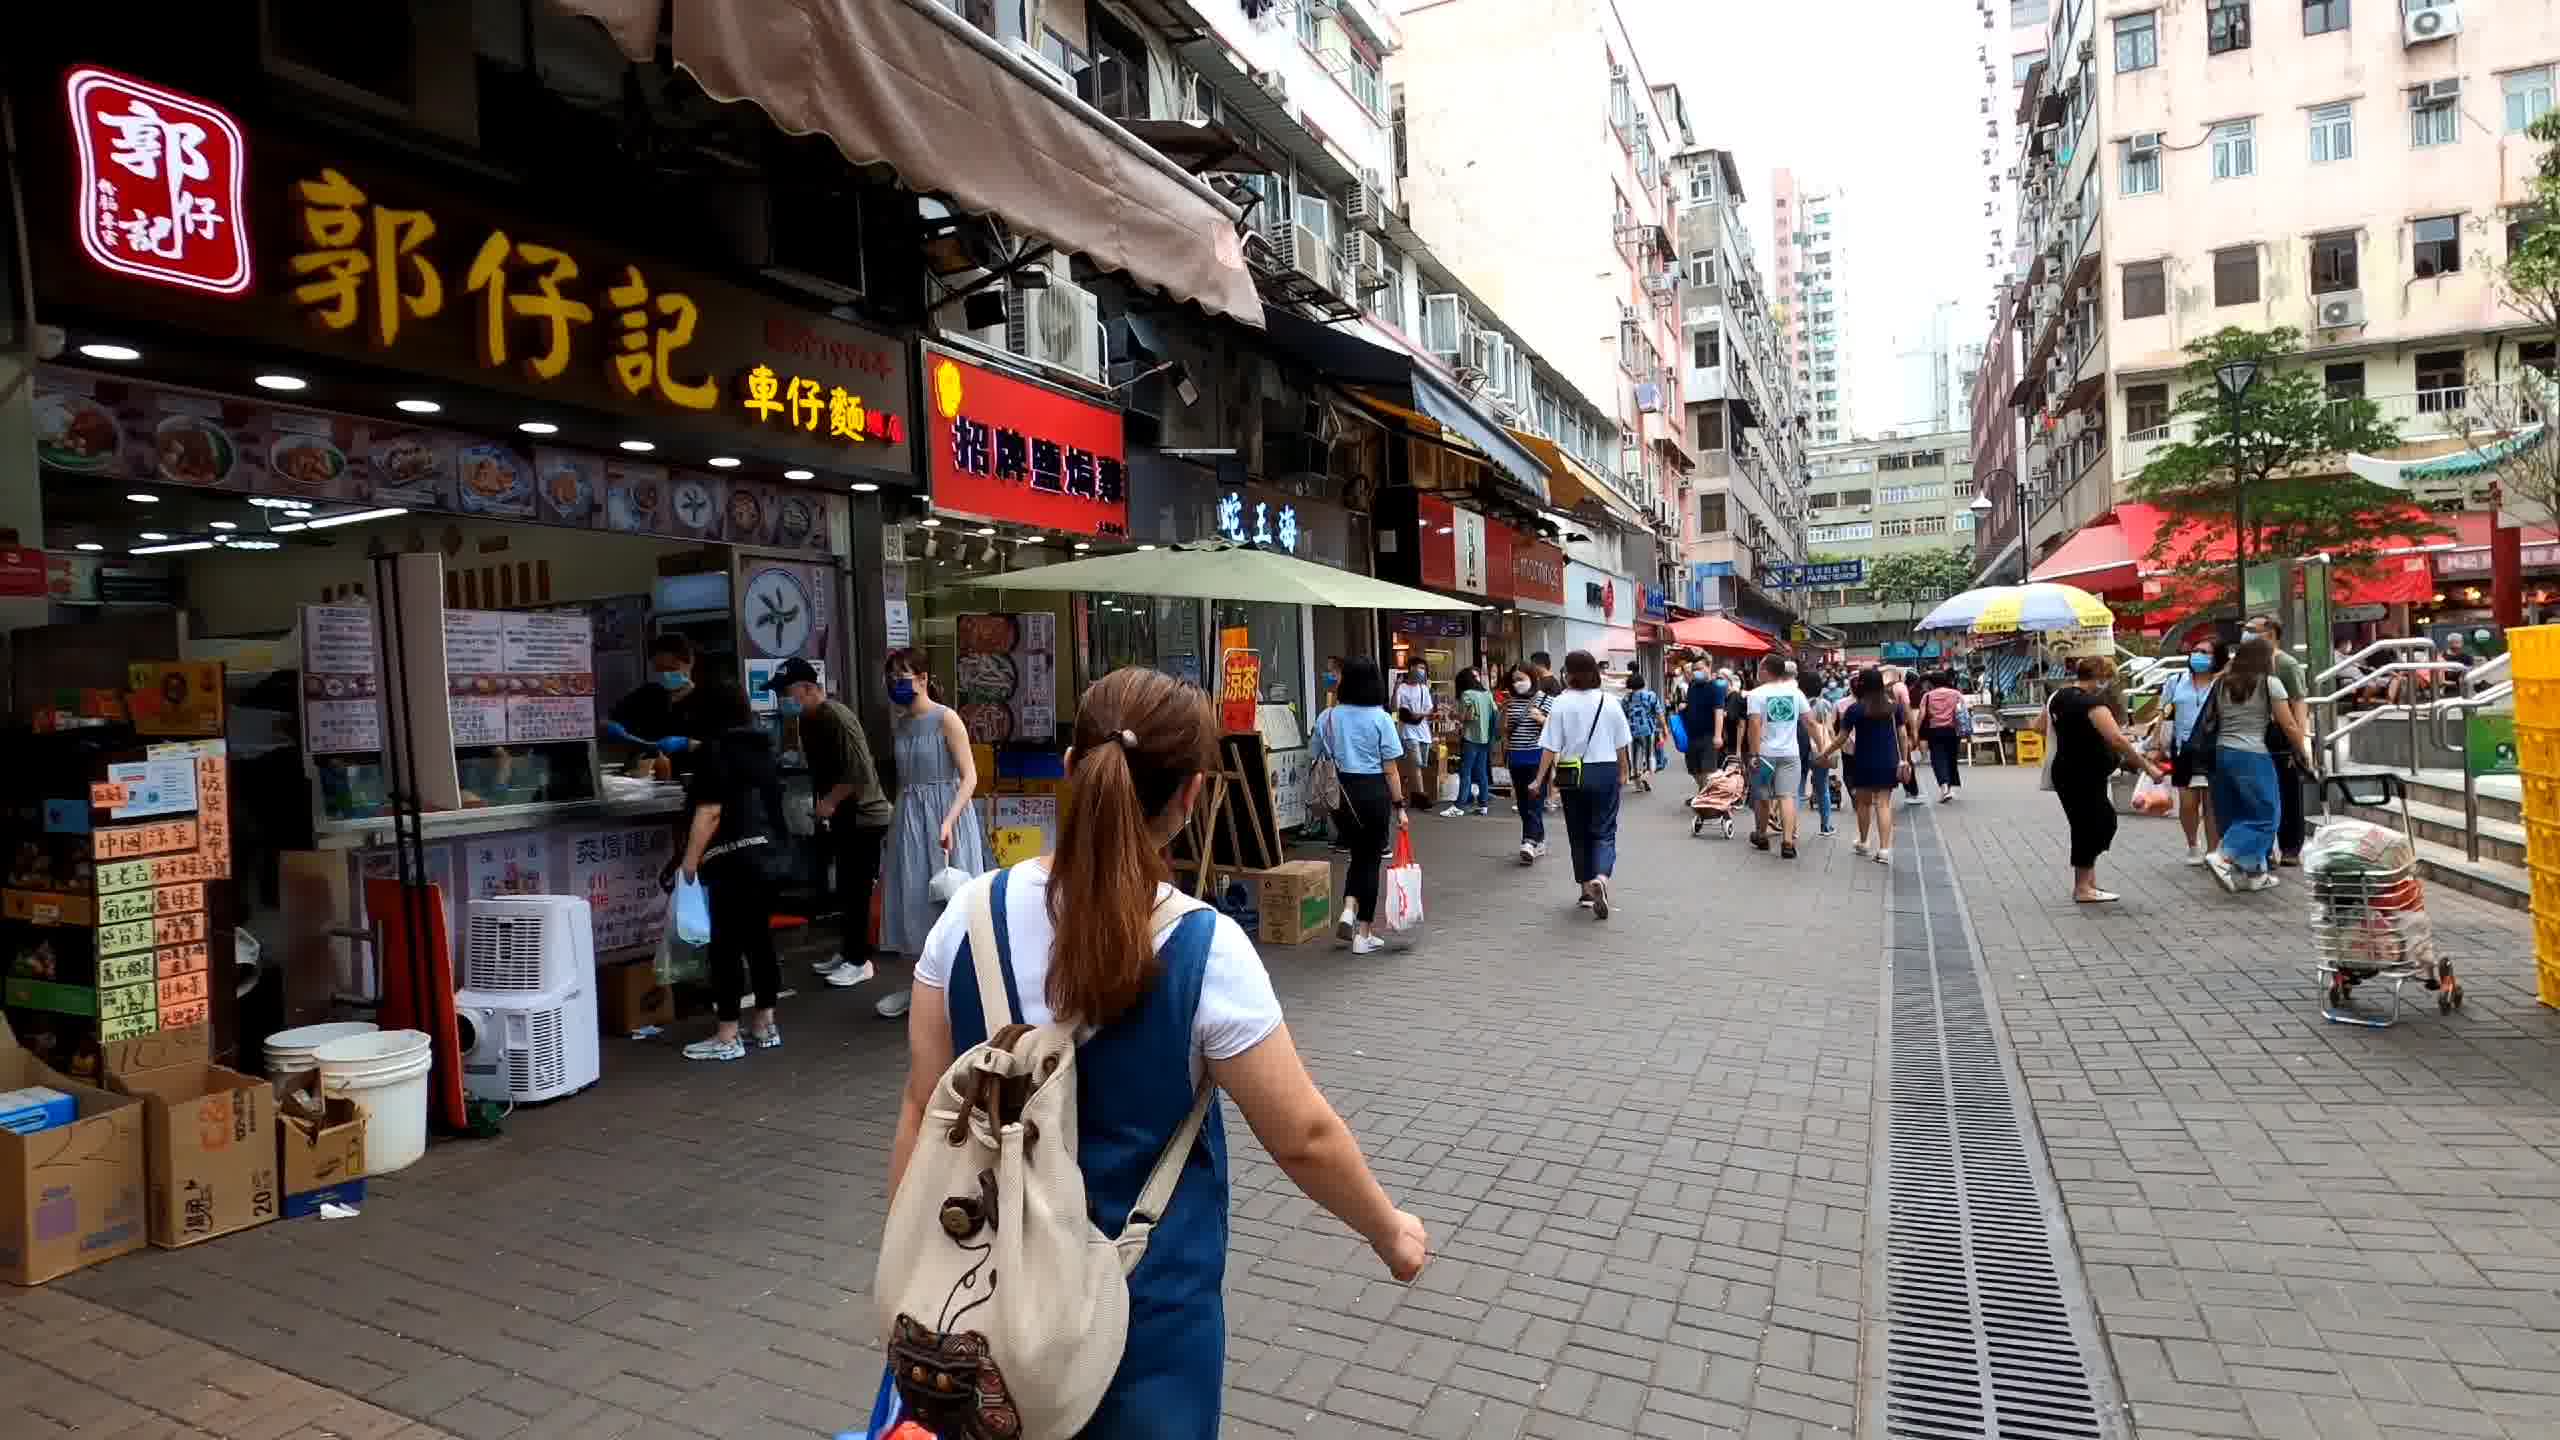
(933, 826)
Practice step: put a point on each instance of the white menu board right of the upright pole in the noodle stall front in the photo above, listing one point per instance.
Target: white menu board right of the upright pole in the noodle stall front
(521, 678)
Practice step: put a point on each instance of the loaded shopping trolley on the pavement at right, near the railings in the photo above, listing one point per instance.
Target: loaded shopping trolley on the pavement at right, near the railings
(2369, 908)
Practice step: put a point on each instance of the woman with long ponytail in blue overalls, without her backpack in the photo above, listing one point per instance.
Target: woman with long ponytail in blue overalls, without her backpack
(1166, 995)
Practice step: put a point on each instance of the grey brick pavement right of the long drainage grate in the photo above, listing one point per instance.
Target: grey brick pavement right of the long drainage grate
(2290, 1229)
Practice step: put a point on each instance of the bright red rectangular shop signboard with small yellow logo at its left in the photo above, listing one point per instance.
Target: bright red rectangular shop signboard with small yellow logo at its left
(1018, 452)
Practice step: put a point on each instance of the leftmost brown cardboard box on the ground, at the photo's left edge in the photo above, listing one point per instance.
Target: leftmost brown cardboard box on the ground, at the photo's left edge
(70, 1195)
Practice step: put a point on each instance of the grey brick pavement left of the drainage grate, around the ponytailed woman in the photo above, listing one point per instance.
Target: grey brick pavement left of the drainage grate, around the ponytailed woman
(1642, 1149)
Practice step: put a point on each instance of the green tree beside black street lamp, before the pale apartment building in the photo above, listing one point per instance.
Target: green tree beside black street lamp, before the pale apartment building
(2277, 455)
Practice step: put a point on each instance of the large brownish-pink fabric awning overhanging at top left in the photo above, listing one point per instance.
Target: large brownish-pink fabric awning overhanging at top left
(951, 111)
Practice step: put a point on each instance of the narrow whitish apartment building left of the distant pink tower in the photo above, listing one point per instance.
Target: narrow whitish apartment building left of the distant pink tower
(1747, 506)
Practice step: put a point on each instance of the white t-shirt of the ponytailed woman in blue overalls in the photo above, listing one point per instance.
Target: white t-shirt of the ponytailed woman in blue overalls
(1238, 1006)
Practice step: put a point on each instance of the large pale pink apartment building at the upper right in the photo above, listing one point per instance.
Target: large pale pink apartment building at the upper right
(2328, 165)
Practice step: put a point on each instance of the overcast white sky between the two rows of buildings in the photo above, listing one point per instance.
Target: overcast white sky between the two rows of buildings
(1875, 96)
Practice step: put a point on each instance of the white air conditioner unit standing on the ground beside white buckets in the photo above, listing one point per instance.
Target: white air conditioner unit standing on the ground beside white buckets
(529, 998)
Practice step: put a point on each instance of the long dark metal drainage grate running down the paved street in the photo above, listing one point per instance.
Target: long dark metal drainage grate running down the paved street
(1988, 1318)
